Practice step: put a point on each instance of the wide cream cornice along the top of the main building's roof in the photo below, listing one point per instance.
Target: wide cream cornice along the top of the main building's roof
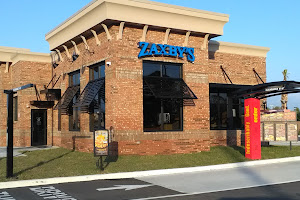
(138, 12)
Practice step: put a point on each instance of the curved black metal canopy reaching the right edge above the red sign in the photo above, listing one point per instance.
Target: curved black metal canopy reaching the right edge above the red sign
(265, 90)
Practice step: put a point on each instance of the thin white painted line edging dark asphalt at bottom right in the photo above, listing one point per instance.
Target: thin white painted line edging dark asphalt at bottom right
(197, 193)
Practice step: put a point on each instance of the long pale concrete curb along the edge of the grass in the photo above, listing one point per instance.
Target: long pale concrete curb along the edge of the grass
(137, 174)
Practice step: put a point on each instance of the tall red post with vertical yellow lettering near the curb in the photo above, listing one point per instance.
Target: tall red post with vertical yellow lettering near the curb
(252, 128)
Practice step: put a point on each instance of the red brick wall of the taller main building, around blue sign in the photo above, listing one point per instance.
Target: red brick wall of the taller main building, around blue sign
(124, 93)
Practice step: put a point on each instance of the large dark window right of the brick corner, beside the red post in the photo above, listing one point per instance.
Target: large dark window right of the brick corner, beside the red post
(226, 110)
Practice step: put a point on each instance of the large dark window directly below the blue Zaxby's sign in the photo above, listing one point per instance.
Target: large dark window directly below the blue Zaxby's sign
(162, 114)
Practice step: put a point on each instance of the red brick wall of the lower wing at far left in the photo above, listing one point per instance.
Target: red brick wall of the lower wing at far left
(22, 73)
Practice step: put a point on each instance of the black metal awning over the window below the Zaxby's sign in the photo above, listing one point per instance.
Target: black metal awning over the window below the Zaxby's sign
(167, 88)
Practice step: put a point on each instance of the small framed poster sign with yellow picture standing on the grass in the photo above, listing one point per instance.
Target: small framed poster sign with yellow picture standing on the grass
(101, 144)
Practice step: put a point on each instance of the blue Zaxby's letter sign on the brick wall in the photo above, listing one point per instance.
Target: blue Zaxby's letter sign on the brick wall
(148, 49)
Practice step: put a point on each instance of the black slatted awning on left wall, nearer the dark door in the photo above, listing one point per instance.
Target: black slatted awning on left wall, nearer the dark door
(66, 99)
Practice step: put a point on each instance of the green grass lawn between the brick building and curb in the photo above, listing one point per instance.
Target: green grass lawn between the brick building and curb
(63, 162)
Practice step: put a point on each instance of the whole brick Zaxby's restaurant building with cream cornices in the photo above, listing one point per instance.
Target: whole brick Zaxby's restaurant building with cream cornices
(147, 70)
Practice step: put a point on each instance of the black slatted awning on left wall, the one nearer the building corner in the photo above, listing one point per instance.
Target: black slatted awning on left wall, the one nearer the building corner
(89, 93)
